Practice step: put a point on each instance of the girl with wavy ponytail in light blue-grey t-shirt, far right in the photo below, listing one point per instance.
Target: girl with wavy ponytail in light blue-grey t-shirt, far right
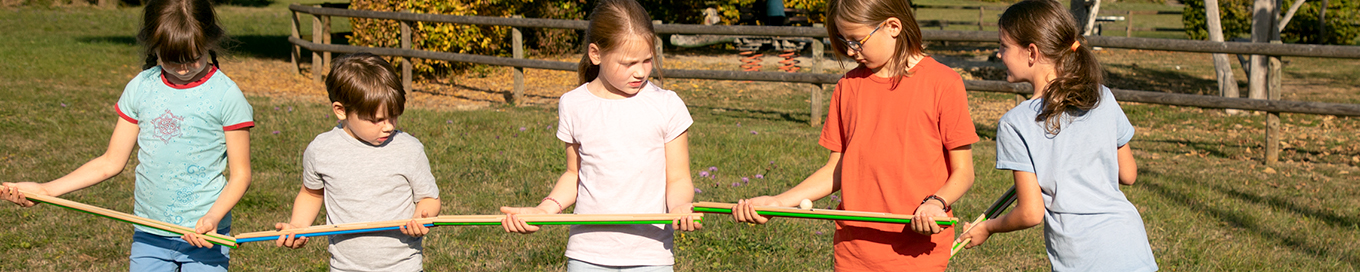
(1068, 149)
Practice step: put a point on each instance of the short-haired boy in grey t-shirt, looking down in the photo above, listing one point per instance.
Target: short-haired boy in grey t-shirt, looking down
(365, 171)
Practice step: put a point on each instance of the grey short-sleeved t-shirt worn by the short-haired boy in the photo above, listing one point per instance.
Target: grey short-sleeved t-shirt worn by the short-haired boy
(371, 184)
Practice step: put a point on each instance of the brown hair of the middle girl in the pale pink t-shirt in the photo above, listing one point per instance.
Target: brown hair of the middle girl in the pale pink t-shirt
(611, 24)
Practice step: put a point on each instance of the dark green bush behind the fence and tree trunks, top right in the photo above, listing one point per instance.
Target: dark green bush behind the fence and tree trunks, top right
(1343, 21)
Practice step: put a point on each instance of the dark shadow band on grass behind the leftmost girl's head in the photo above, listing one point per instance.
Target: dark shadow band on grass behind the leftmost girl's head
(262, 47)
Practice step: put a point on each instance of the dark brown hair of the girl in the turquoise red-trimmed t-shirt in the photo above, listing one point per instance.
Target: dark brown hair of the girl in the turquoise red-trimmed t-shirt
(180, 31)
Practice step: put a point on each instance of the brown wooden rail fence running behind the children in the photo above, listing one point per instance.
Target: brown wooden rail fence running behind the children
(322, 50)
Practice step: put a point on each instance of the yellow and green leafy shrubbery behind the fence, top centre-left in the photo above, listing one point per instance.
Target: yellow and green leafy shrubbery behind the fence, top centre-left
(496, 41)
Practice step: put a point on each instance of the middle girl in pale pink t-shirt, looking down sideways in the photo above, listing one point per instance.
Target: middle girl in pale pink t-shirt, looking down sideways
(628, 150)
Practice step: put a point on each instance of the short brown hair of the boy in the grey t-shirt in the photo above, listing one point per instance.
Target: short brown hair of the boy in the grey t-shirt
(362, 84)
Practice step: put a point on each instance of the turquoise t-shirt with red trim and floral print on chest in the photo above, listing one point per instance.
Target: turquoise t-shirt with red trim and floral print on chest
(183, 145)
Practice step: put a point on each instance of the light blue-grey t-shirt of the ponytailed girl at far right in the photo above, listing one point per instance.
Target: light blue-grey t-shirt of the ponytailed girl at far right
(1089, 222)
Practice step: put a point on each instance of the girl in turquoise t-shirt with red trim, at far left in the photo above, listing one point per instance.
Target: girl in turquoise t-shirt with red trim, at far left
(190, 123)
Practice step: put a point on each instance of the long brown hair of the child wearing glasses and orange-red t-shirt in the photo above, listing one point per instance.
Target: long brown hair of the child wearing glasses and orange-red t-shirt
(872, 13)
